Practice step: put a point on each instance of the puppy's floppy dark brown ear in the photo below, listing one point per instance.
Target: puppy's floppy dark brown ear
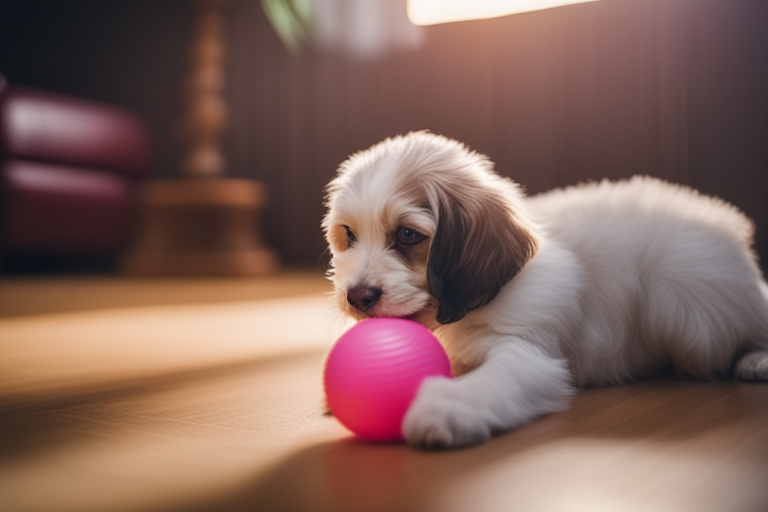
(478, 247)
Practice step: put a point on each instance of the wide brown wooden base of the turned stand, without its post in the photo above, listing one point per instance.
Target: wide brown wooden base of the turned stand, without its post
(201, 226)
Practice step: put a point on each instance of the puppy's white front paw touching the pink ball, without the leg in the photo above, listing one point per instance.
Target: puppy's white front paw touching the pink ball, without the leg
(440, 418)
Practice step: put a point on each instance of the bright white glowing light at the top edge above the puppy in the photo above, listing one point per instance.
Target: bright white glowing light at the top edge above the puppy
(431, 12)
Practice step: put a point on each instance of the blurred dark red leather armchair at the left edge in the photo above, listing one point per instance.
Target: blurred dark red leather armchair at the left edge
(68, 172)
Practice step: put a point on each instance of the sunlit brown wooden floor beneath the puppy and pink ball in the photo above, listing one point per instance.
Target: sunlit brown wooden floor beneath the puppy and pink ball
(205, 395)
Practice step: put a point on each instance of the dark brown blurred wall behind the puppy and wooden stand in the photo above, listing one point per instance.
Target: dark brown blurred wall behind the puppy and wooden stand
(604, 89)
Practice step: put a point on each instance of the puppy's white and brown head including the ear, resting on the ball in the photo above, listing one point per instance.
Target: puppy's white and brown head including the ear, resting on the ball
(421, 227)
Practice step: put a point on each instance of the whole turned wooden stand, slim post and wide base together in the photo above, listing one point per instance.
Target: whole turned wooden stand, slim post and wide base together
(202, 224)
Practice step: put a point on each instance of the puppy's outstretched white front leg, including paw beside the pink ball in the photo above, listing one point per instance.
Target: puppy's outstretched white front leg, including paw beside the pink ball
(516, 383)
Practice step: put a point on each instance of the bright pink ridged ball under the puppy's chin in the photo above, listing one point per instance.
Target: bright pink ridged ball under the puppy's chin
(374, 371)
